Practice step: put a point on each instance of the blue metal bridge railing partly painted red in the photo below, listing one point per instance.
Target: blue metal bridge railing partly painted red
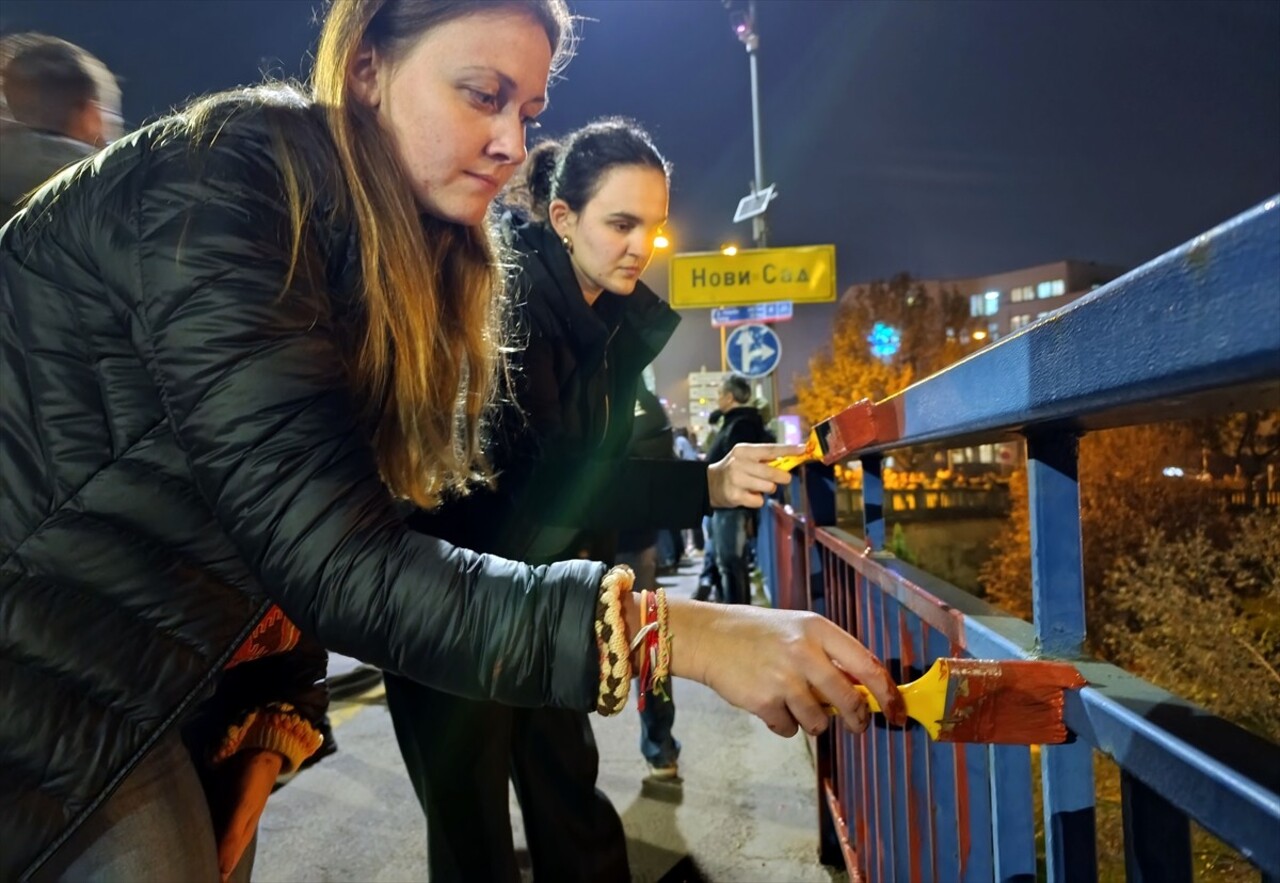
(1192, 333)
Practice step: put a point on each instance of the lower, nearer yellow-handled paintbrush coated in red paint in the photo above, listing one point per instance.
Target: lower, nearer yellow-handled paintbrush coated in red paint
(999, 702)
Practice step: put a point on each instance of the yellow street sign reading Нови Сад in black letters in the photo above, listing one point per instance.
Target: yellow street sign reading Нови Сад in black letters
(806, 274)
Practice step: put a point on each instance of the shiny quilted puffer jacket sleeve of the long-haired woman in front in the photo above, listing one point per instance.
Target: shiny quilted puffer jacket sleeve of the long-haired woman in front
(254, 388)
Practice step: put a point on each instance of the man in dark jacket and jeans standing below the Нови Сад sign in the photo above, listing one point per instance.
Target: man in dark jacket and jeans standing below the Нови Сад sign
(740, 424)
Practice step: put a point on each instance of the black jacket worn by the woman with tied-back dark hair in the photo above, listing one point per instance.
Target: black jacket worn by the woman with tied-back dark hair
(566, 483)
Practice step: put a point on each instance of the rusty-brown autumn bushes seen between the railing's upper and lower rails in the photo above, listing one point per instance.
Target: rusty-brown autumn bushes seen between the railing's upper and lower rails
(1177, 591)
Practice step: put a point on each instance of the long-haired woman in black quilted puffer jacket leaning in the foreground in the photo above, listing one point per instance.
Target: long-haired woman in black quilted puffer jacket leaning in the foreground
(212, 408)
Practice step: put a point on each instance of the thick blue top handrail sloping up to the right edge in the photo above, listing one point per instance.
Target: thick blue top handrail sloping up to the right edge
(1169, 338)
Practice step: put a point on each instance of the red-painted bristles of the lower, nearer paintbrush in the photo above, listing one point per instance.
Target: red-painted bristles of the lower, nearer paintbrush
(1007, 702)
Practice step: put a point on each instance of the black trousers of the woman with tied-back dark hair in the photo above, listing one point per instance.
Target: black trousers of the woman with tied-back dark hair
(460, 753)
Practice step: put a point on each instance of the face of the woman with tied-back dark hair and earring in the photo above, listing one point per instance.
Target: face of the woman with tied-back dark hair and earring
(612, 237)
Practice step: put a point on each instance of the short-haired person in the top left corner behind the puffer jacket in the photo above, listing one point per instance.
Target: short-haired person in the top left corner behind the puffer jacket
(63, 104)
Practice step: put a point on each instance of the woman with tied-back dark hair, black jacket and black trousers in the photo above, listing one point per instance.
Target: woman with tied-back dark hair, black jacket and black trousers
(587, 214)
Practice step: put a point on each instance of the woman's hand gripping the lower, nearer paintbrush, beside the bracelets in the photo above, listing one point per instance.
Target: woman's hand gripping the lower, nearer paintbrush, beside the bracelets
(778, 664)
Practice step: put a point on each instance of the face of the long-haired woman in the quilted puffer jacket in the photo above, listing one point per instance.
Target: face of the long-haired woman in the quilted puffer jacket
(458, 104)
